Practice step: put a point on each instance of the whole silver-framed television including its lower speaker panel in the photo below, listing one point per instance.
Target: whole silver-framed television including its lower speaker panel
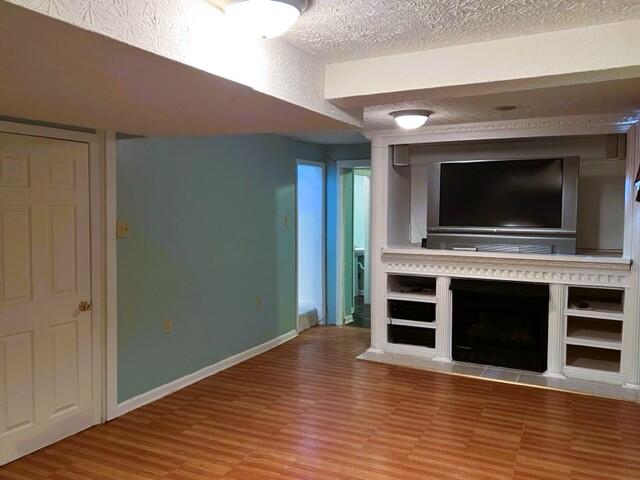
(503, 205)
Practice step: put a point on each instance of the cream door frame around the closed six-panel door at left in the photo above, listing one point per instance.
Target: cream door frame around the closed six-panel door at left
(102, 196)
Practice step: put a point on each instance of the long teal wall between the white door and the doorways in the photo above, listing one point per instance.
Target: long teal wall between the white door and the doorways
(207, 235)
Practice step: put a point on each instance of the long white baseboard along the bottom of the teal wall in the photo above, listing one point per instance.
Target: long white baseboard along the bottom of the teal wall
(180, 383)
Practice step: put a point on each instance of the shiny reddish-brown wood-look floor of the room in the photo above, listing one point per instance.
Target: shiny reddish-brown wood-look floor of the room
(309, 410)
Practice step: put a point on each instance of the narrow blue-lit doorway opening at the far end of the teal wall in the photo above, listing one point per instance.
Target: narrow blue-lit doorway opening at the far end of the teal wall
(310, 223)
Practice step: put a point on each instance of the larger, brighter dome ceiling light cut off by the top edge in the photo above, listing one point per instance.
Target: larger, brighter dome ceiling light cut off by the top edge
(265, 18)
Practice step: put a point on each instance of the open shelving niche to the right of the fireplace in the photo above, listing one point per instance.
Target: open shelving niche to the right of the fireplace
(594, 319)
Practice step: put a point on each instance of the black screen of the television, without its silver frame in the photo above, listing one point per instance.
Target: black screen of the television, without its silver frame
(512, 193)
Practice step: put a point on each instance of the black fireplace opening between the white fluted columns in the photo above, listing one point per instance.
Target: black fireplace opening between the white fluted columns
(500, 323)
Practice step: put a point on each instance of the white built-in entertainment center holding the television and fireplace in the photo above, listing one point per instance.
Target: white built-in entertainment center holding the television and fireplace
(510, 244)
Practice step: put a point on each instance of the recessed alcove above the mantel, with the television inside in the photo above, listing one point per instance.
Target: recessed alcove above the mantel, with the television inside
(547, 195)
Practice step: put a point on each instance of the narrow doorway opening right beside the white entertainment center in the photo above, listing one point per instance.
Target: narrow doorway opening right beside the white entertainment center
(354, 294)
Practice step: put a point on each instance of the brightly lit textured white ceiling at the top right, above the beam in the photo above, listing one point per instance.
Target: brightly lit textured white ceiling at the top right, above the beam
(338, 30)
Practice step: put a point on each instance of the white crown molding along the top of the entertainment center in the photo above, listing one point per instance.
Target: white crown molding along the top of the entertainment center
(531, 127)
